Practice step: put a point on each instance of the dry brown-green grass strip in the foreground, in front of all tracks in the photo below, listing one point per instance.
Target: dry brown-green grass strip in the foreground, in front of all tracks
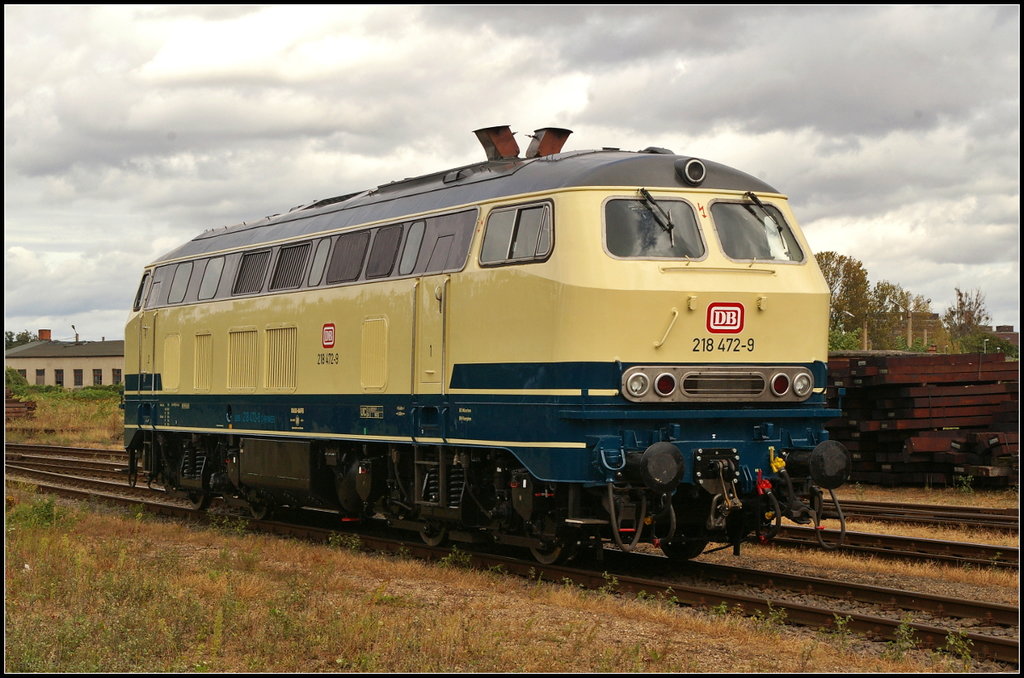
(91, 589)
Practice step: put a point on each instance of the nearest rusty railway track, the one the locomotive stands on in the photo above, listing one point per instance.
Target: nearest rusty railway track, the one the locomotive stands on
(801, 601)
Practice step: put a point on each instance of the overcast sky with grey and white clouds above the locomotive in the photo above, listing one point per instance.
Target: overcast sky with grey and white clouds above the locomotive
(895, 131)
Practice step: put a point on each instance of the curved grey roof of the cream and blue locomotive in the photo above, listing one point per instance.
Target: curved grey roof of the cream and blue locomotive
(468, 185)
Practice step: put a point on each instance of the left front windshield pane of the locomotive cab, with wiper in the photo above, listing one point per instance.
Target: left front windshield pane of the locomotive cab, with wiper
(632, 230)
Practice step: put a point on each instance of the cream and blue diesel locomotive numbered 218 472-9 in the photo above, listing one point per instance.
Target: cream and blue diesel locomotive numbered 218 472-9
(557, 351)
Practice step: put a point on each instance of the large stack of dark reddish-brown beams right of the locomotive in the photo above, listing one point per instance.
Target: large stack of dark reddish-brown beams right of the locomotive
(943, 420)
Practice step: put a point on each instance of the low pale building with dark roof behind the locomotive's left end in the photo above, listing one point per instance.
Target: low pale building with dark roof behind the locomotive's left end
(69, 364)
